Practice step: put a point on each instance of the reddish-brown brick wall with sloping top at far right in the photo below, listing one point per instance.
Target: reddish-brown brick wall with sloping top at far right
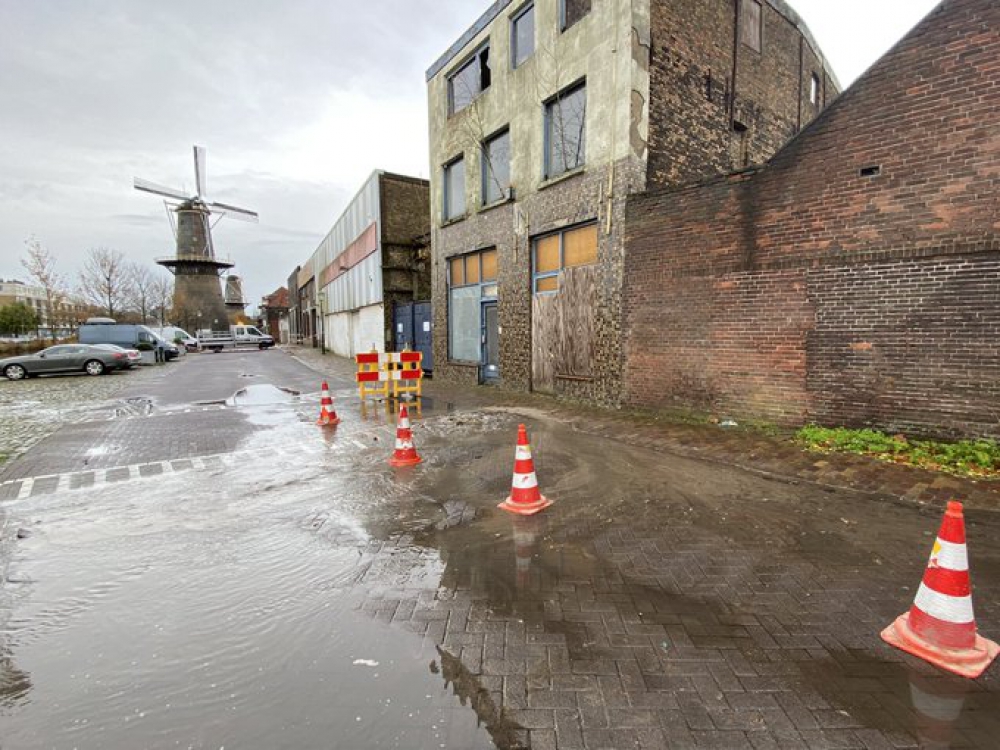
(855, 279)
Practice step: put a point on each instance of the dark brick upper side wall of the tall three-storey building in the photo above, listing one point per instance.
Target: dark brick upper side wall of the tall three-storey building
(701, 81)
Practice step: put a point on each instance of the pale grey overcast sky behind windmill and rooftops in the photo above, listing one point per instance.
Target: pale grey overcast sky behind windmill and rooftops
(296, 102)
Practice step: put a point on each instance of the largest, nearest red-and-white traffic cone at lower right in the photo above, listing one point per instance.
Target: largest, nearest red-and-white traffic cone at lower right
(940, 627)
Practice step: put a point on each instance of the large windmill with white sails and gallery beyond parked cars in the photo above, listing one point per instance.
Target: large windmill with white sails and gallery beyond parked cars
(198, 300)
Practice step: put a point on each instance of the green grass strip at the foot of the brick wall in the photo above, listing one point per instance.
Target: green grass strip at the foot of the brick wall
(979, 459)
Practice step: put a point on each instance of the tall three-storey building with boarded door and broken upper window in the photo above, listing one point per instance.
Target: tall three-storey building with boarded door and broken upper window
(544, 117)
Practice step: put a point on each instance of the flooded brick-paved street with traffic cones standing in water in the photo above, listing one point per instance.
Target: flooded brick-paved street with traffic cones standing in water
(209, 569)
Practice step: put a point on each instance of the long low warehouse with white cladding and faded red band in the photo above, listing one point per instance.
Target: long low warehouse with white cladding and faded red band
(374, 258)
